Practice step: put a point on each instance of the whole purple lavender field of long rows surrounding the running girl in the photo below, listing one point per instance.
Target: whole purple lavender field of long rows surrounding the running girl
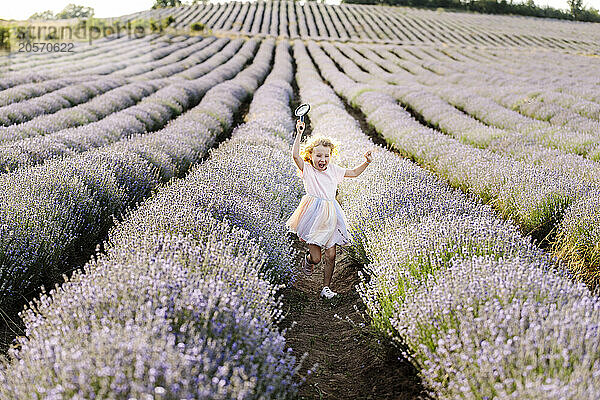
(145, 184)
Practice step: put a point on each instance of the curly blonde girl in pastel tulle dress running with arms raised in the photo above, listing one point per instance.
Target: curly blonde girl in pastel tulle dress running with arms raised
(319, 220)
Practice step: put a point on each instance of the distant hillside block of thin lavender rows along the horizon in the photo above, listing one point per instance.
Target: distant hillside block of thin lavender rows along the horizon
(374, 24)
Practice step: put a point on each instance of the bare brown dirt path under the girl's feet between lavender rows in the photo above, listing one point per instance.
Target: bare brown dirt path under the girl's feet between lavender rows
(354, 362)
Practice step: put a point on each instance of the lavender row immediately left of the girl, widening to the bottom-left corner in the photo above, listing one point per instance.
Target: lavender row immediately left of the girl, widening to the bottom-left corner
(179, 306)
